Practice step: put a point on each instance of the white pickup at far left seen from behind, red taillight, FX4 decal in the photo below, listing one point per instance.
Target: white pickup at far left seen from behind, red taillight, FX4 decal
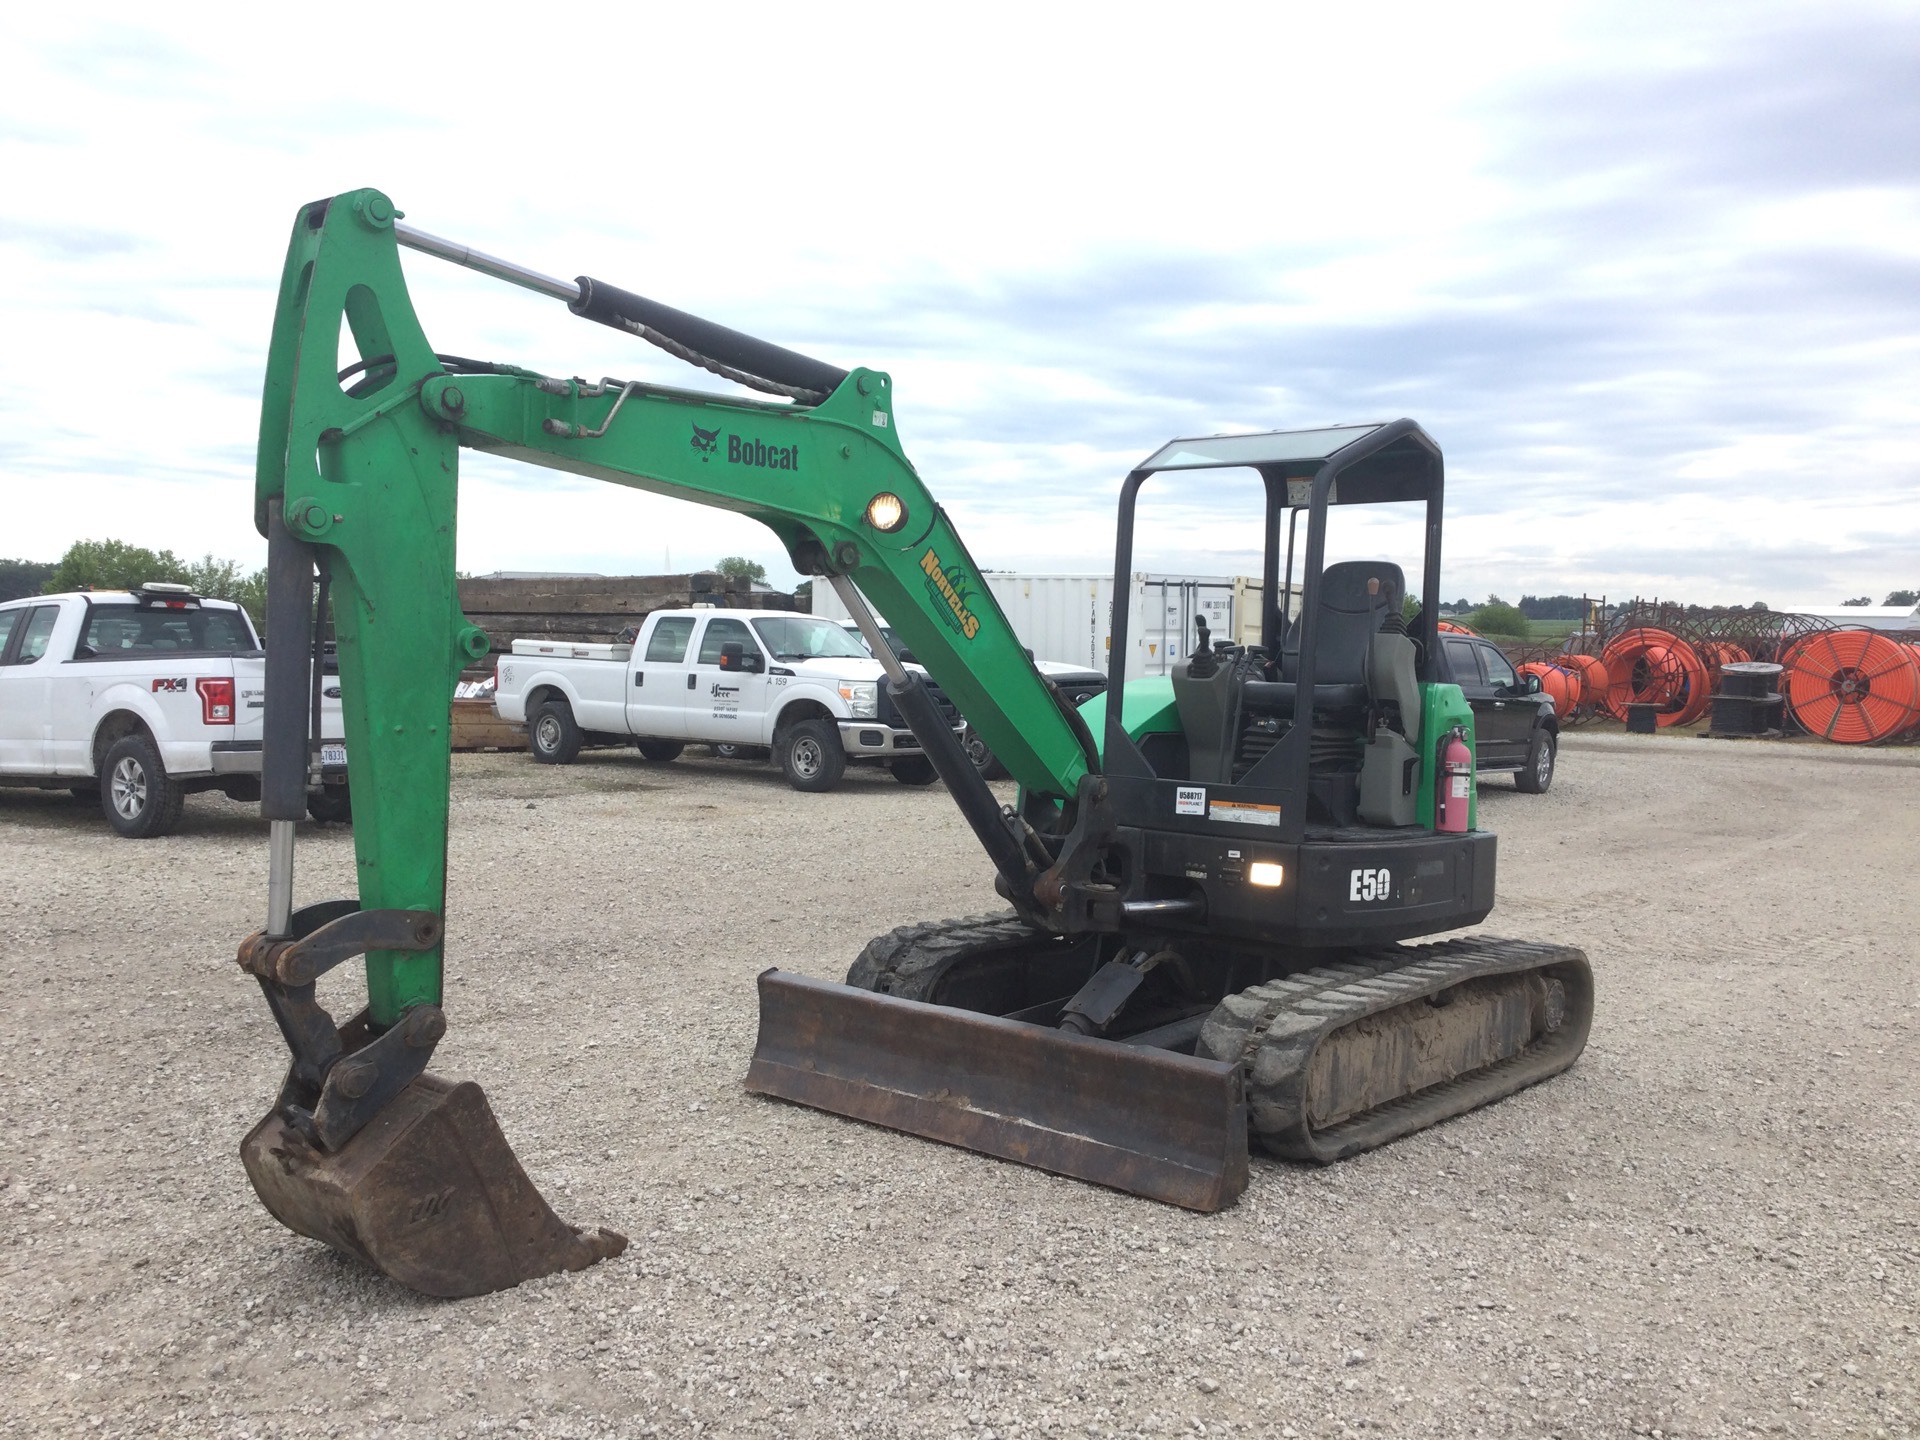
(137, 698)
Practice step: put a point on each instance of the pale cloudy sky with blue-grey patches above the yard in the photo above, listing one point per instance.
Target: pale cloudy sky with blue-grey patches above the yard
(1650, 274)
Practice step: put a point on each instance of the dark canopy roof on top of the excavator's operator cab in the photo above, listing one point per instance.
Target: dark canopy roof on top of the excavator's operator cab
(1372, 464)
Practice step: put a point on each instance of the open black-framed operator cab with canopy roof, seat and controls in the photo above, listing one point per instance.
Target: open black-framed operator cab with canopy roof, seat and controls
(1320, 721)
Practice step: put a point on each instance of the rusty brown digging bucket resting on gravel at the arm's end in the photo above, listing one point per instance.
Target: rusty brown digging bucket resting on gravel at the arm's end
(429, 1193)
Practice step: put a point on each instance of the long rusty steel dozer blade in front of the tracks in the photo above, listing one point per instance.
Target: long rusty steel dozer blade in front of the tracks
(1151, 1122)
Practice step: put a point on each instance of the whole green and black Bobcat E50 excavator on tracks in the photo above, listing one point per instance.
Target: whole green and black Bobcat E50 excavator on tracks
(1212, 876)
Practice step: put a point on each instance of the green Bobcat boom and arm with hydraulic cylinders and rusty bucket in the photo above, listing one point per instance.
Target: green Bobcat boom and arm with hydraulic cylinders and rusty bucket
(358, 492)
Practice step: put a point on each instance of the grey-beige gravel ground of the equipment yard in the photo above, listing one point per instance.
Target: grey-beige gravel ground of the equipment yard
(1706, 1228)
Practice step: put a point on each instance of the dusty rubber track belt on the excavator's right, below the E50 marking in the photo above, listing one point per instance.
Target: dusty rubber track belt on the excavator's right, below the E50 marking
(1276, 1028)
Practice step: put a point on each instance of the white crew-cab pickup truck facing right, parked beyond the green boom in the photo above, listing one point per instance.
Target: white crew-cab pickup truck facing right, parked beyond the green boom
(794, 684)
